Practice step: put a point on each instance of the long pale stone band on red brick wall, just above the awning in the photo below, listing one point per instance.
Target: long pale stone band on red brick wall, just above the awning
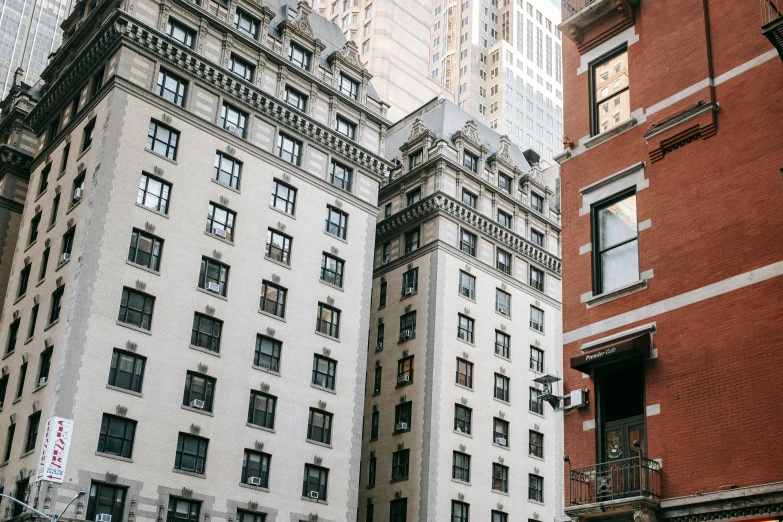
(679, 301)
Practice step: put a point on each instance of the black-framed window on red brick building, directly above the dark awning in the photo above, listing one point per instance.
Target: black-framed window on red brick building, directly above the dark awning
(615, 243)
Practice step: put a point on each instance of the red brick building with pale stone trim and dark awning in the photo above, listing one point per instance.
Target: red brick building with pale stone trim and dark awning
(672, 208)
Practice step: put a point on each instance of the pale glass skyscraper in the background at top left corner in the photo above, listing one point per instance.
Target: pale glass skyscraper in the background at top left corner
(29, 32)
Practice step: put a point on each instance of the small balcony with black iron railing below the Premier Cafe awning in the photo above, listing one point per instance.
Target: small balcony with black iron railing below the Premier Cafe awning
(616, 486)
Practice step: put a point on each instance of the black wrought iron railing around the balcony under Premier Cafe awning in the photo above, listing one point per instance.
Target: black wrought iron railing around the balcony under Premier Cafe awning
(616, 479)
